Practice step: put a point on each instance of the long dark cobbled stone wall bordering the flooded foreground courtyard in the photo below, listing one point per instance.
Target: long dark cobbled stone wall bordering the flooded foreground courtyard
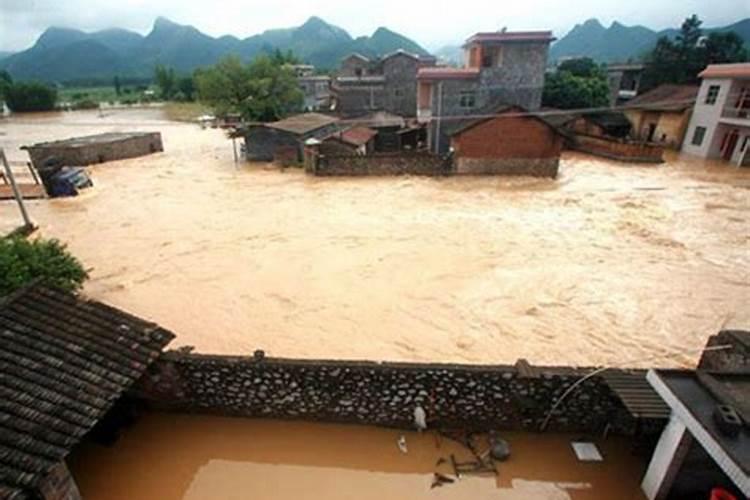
(385, 394)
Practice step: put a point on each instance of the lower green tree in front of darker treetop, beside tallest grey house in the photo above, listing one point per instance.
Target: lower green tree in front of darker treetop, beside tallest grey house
(564, 90)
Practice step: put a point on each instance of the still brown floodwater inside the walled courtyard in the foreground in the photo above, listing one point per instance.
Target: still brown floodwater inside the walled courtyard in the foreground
(171, 457)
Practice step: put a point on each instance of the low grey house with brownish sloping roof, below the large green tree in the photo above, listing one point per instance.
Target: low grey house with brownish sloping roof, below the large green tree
(283, 141)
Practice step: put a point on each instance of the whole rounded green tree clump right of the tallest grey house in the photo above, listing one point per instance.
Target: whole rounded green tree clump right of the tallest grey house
(577, 83)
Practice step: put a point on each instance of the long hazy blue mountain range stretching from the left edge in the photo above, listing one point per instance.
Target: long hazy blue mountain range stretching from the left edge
(62, 54)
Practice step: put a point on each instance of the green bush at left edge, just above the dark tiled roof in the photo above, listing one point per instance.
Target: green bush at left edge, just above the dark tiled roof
(22, 261)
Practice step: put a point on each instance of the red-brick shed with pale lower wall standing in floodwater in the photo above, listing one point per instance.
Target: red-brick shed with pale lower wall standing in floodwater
(509, 142)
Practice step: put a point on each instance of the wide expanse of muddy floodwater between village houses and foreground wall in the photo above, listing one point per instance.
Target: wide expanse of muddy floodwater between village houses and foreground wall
(609, 263)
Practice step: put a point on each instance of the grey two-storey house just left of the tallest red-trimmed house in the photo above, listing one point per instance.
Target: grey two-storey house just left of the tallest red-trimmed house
(385, 84)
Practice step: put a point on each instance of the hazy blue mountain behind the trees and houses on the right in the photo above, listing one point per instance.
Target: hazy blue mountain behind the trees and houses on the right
(620, 43)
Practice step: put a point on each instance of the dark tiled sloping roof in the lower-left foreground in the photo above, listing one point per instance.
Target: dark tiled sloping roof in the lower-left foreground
(64, 361)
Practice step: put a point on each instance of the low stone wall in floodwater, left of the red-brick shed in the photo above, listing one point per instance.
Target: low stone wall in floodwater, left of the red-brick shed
(402, 163)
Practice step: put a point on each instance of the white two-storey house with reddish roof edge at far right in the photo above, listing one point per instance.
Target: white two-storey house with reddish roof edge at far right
(720, 125)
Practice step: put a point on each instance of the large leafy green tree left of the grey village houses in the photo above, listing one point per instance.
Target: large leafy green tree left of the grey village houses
(264, 90)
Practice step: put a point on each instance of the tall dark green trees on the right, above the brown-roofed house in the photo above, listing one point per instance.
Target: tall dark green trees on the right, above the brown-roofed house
(682, 59)
